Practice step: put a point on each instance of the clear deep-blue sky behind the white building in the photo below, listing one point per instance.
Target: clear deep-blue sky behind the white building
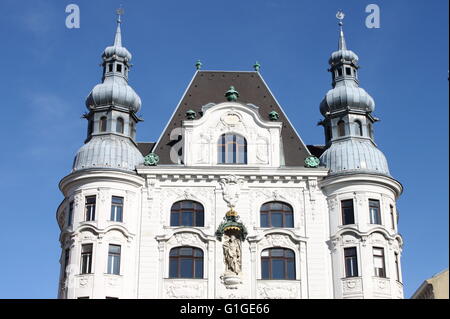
(48, 70)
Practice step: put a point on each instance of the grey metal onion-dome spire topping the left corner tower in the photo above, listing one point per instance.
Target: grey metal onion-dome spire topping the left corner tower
(112, 118)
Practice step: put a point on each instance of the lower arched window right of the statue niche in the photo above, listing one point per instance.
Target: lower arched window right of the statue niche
(278, 263)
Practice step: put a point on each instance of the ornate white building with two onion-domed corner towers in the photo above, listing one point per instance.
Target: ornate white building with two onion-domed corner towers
(229, 202)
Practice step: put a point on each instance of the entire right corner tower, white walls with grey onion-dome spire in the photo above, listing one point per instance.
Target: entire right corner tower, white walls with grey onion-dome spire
(364, 240)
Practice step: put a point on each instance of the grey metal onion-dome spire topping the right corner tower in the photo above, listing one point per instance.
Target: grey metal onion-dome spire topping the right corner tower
(348, 122)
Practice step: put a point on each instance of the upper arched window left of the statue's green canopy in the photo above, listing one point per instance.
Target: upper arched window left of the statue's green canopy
(187, 213)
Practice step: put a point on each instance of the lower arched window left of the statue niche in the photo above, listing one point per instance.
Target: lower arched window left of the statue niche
(186, 262)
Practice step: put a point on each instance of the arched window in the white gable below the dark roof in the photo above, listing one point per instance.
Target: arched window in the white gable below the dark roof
(232, 149)
